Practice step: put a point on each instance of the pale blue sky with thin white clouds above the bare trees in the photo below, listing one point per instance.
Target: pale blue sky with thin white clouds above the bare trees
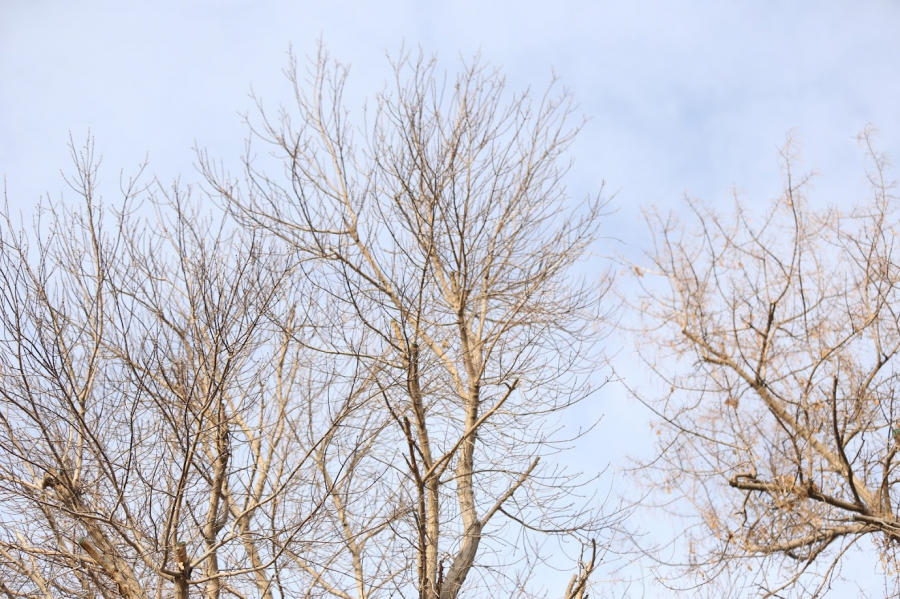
(683, 97)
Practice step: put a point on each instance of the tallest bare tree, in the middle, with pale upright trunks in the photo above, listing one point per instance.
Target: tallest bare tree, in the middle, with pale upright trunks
(440, 230)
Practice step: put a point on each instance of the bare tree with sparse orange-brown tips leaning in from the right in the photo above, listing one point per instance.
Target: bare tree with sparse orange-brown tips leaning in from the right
(778, 339)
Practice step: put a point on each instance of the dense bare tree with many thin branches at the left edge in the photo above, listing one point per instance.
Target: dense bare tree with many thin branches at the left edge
(159, 421)
